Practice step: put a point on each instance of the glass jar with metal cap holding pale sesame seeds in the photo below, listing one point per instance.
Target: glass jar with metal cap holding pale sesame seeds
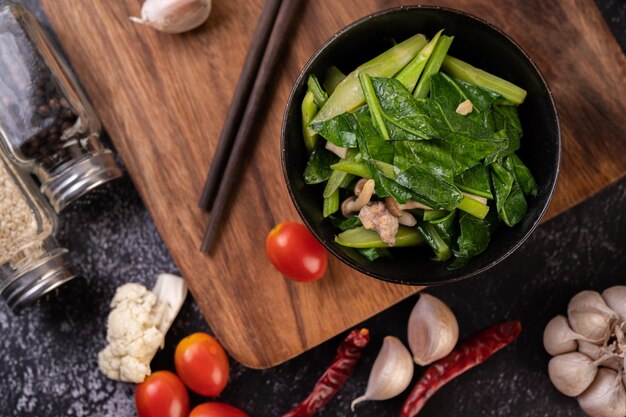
(31, 261)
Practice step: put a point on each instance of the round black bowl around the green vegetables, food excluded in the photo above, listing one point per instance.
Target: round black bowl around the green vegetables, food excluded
(482, 45)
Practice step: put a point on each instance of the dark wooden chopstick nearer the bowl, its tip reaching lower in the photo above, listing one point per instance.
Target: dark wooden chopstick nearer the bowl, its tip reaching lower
(245, 135)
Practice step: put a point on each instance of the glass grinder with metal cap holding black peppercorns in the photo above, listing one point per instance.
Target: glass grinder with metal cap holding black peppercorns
(47, 125)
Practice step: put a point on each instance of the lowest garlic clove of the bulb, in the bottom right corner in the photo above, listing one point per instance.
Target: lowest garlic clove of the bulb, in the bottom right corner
(605, 397)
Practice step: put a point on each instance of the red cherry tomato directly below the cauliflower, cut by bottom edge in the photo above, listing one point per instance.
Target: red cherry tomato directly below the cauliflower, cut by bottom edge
(162, 394)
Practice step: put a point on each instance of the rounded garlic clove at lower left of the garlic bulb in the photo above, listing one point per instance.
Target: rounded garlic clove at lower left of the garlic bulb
(571, 373)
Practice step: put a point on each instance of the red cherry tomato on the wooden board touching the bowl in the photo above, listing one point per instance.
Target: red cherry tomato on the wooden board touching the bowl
(295, 252)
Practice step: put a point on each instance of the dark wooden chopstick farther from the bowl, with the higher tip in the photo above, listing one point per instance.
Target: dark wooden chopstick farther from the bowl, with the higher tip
(240, 98)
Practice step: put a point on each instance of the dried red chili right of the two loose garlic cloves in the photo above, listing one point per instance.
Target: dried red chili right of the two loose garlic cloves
(468, 354)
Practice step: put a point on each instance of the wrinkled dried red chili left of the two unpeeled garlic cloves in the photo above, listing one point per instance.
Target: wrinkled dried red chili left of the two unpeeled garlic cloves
(348, 354)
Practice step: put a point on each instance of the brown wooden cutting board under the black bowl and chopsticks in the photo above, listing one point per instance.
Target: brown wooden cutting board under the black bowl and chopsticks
(163, 99)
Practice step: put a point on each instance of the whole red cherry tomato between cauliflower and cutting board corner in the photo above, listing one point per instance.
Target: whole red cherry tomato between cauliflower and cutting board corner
(202, 364)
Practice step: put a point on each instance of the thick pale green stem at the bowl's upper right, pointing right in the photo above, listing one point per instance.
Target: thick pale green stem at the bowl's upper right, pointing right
(468, 73)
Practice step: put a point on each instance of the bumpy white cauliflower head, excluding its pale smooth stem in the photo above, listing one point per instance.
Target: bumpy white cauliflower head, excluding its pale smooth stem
(133, 334)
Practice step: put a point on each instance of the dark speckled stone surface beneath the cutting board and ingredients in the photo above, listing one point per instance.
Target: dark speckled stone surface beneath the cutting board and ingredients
(48, 353)
